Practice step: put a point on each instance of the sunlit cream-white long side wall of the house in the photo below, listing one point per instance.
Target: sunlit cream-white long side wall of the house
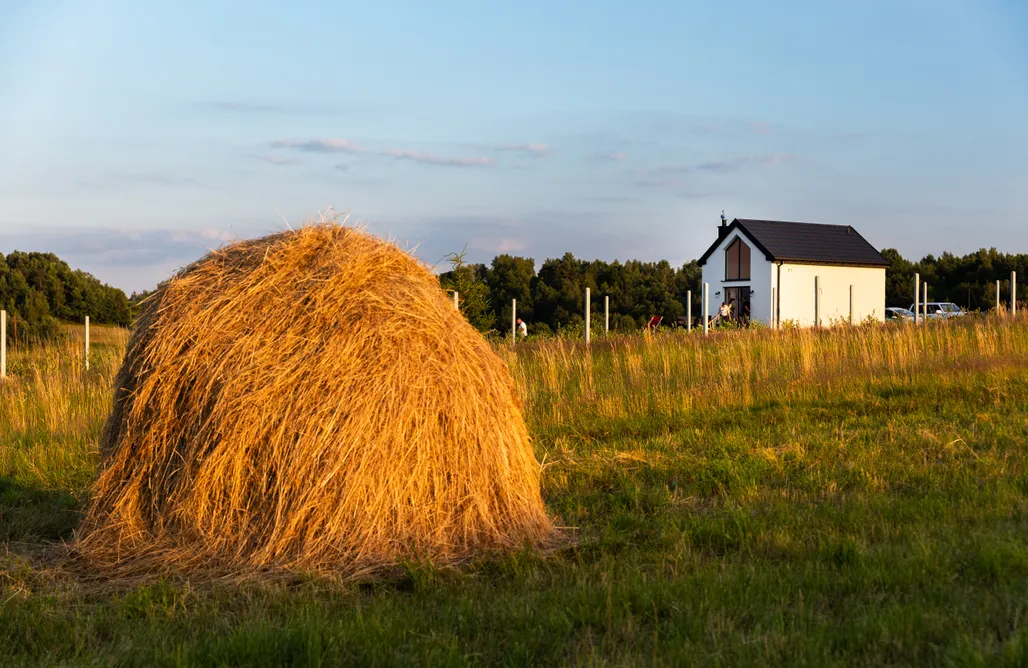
(798, 293)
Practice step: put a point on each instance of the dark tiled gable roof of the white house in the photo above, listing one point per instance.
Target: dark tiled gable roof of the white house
(810, 243)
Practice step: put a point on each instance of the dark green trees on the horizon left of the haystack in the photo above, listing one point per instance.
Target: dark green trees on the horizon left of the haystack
(40, 290)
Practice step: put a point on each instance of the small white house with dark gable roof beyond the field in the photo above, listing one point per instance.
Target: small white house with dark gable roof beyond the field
(772, 269)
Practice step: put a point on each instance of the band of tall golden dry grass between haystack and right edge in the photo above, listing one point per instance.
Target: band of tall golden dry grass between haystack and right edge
(565, 383)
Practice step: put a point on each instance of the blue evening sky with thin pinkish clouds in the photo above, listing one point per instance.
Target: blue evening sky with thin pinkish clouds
(136, 136)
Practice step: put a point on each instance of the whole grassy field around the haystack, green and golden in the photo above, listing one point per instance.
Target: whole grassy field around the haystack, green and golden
(848, 498)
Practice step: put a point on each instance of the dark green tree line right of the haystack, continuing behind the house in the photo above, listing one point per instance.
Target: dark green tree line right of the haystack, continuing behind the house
(554, 299)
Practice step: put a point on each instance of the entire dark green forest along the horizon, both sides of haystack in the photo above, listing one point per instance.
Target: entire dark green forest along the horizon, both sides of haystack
(40, 291)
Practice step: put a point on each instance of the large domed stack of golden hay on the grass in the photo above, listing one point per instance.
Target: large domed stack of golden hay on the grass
(310, 401)
